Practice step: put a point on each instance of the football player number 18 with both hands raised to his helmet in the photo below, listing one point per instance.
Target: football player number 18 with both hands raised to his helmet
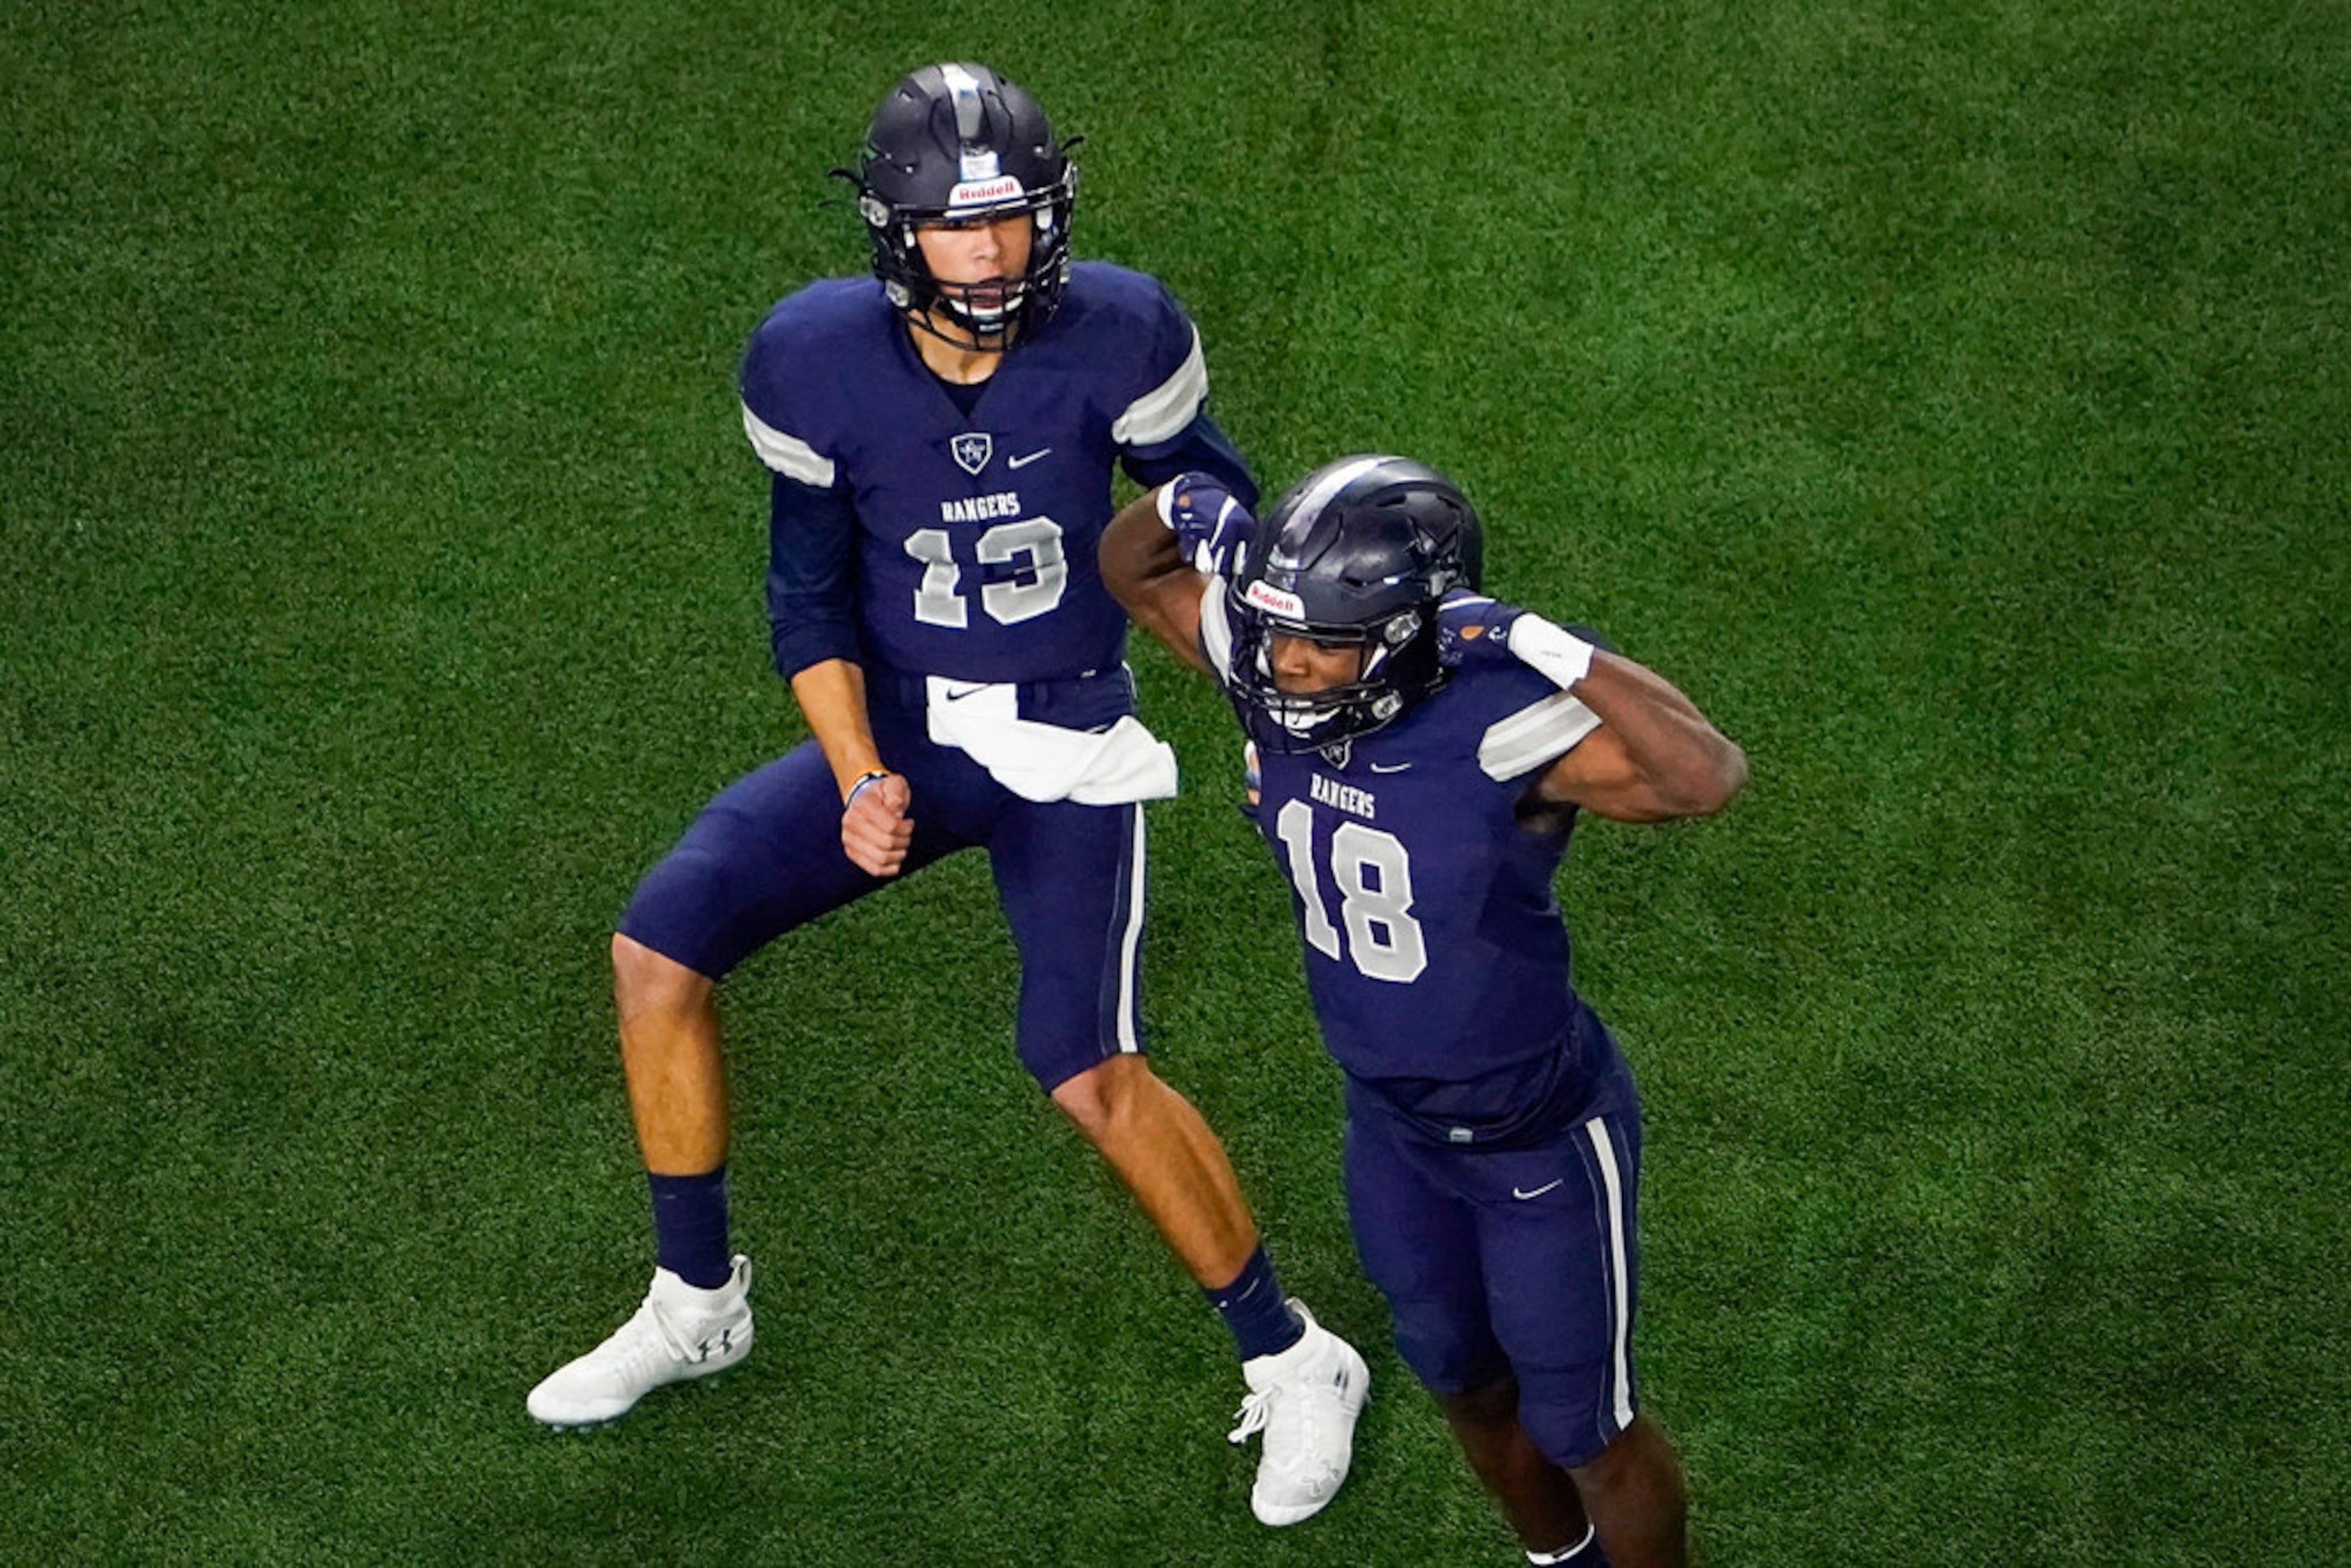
(1421, 756)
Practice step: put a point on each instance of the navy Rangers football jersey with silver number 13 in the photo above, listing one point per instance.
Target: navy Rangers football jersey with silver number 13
(974, 535)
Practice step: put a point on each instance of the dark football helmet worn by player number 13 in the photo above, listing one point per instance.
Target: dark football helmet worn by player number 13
(958, 145)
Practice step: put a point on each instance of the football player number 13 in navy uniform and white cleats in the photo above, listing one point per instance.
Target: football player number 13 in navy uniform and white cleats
(942, 443)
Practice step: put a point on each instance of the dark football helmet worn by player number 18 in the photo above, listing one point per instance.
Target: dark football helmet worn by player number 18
(1355, 556)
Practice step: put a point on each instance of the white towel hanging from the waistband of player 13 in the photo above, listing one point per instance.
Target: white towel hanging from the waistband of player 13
(1045, 760)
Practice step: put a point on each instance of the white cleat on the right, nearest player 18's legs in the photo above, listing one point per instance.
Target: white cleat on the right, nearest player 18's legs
(1304, 1402)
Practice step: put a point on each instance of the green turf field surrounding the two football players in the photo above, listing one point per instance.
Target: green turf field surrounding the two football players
(1953, 398)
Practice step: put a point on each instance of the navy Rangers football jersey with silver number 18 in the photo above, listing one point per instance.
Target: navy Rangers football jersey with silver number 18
(1435, 951)
